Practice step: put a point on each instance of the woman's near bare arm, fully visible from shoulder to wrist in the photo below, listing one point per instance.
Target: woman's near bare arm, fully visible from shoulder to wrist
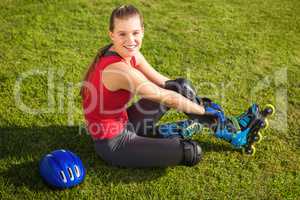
(121, 76)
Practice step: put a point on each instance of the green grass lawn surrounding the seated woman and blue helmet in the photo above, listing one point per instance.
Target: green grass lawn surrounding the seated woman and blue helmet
(228, 48)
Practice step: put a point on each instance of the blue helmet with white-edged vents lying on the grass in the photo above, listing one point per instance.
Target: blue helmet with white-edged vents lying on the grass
(62, 169)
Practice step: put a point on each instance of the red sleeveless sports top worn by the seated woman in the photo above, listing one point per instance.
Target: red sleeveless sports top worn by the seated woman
(105, 110)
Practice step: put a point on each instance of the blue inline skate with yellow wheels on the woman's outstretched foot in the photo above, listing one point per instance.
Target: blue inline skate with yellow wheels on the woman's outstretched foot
(242, 131)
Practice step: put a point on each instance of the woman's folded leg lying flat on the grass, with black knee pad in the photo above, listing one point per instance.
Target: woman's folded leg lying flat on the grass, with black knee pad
(131, 150)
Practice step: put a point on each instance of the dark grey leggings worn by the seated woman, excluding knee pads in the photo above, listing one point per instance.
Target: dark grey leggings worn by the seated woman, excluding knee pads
(139, 145)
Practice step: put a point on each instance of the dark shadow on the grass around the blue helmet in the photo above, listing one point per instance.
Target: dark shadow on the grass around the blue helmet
(22, 148)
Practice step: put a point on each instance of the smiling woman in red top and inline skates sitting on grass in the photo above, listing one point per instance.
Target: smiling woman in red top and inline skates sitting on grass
(123, 135)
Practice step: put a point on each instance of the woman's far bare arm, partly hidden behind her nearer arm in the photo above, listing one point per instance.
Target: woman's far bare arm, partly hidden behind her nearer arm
(148, 71)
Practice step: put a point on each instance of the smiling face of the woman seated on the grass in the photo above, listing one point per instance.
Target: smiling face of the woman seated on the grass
(127, 36)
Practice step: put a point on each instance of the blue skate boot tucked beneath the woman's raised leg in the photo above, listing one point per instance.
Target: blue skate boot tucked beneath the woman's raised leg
(184, 129)
